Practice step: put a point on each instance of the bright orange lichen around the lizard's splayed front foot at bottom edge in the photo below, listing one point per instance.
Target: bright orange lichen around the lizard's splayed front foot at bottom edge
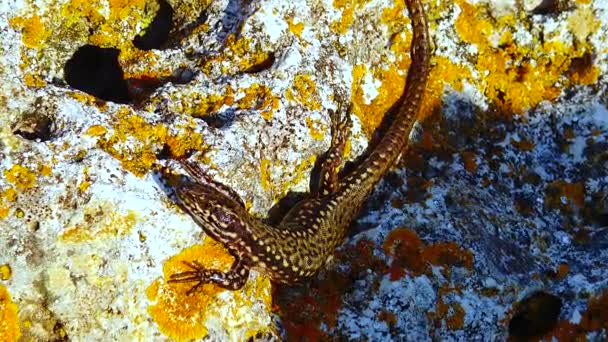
(184, 317)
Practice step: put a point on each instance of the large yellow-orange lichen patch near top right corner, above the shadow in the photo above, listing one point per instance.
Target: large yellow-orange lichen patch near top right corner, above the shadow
(517, 77)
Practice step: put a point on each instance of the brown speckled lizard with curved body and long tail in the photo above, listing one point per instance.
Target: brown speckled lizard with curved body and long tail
(307, 236)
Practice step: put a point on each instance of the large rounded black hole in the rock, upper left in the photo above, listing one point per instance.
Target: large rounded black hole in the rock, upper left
(96, 71)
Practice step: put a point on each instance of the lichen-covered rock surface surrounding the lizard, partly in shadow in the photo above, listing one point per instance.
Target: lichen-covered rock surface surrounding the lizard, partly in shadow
(495, 219)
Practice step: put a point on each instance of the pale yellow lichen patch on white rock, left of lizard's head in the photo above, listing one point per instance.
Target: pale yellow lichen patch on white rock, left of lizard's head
(99, 222)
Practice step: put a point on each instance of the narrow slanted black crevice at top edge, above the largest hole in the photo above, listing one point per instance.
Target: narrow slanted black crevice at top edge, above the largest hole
(157, 33)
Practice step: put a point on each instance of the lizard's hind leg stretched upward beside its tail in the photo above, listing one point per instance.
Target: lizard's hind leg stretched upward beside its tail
(341, 124)
